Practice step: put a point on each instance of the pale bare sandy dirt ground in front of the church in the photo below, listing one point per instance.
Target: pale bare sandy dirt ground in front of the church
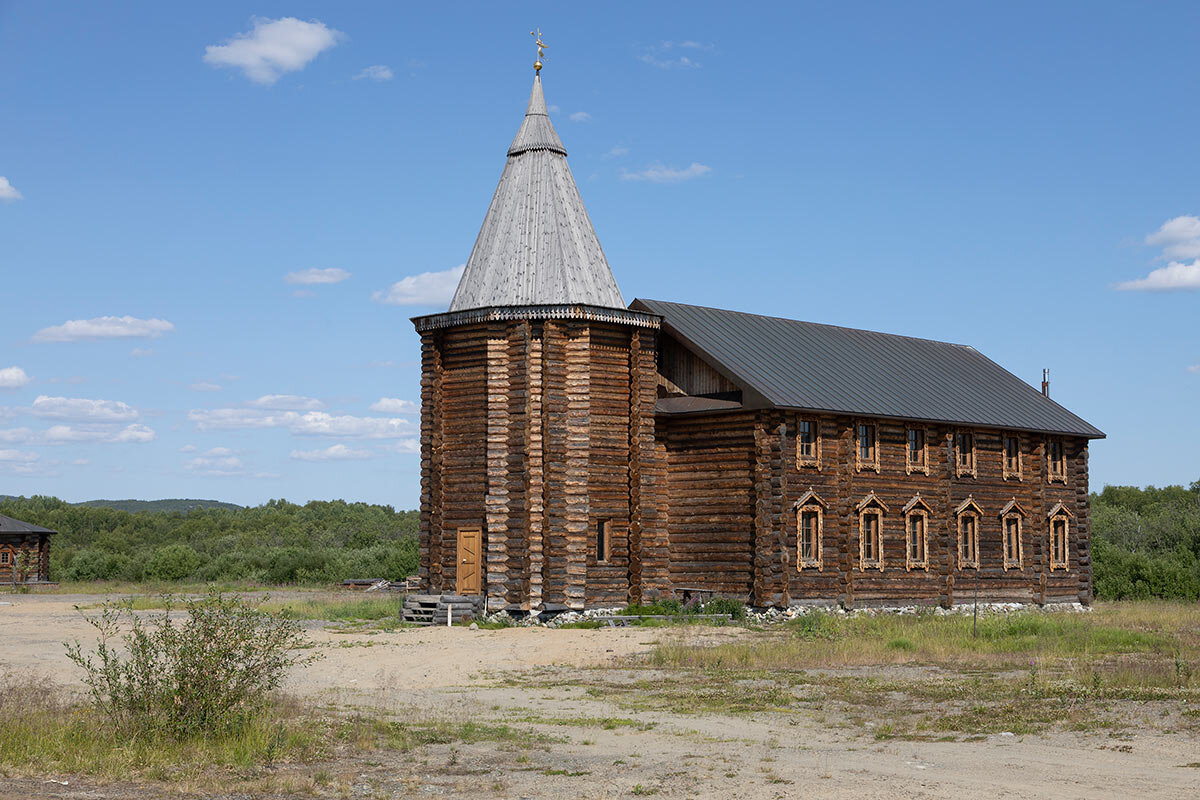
(539, 679)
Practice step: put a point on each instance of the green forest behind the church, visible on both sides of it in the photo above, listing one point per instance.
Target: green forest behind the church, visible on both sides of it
(1147, 542)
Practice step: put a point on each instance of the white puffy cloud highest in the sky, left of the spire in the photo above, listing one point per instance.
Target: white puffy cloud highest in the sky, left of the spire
(274, 47)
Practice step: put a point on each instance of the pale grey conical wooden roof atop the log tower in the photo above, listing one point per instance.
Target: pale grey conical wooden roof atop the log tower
(537, 245)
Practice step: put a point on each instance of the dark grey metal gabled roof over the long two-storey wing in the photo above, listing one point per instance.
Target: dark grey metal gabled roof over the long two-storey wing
(790, 364)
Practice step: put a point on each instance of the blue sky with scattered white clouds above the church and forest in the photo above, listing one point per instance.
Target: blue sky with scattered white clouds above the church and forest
(208, 212)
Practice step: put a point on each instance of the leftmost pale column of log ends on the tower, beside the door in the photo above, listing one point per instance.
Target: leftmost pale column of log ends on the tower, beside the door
(496, 502)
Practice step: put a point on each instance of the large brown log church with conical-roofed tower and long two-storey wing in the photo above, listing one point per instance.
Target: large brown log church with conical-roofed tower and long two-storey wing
(578, 452)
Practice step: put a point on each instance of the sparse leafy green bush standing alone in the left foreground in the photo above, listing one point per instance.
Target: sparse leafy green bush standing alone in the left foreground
(208, 673)
